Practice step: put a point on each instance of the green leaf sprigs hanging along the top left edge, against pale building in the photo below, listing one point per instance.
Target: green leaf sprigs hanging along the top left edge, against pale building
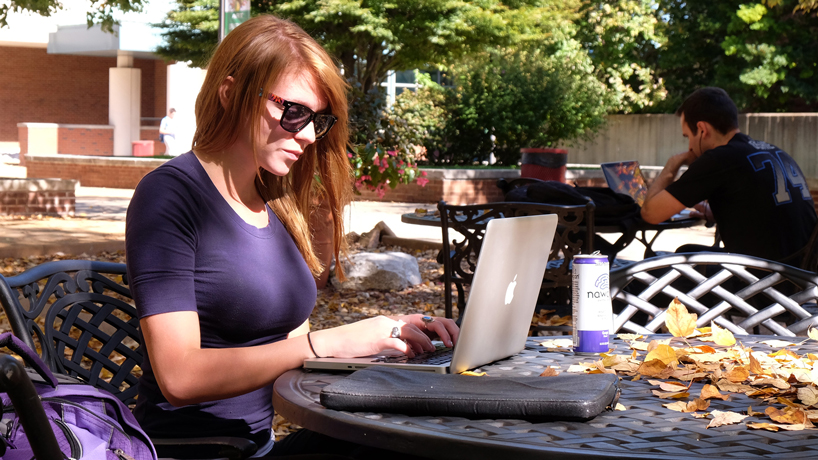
(100, 11)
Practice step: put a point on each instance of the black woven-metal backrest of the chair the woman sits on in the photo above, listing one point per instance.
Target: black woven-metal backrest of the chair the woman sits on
(79, 316)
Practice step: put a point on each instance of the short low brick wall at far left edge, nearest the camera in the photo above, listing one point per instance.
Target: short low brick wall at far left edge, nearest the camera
(27, 197)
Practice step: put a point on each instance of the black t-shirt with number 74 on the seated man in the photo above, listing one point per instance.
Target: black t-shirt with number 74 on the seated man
(758, 194)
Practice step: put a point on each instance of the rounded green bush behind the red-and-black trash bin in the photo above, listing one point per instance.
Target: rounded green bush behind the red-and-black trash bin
(512, 98)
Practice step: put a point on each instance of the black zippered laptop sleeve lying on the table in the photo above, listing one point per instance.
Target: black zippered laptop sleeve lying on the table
(570, 397)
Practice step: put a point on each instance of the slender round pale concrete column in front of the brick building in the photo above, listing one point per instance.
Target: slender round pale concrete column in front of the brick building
(124, 103)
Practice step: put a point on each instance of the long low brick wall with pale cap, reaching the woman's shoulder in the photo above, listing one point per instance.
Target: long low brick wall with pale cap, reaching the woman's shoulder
(91, 171)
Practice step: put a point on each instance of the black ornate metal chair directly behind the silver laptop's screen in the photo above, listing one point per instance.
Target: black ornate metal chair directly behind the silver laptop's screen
(459, 257)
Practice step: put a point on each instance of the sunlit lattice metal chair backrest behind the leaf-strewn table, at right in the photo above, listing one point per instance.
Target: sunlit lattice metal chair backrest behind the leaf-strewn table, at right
(741, 293)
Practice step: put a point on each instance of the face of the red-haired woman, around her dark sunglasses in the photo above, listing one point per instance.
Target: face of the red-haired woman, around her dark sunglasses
(278, 149)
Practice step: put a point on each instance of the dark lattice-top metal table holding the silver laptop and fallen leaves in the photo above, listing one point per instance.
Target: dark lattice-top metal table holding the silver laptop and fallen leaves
(644, 430)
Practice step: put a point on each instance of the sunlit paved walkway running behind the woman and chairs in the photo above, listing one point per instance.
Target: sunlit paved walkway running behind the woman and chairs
(99, 225)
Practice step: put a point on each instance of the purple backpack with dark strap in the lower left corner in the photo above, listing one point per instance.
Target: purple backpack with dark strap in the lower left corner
(89, 423)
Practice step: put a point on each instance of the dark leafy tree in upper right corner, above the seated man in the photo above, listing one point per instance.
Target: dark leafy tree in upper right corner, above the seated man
(762, 52)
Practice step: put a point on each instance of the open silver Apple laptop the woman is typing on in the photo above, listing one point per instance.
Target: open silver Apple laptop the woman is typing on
(504, 290)
